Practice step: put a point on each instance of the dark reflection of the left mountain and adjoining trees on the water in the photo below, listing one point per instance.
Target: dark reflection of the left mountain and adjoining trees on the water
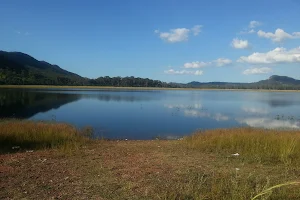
(26, 103)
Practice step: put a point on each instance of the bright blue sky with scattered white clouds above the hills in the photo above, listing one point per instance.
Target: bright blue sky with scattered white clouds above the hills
(173, 41)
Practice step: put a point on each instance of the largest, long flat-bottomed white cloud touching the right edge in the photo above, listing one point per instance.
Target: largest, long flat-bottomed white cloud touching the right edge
(278, 55)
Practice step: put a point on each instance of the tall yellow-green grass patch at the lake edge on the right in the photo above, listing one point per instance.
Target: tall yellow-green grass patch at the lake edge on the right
(253, 145)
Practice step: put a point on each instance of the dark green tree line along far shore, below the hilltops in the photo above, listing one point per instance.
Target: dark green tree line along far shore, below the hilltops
(19, 76)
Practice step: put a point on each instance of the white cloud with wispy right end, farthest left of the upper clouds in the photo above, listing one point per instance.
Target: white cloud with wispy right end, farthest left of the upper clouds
(178, 34)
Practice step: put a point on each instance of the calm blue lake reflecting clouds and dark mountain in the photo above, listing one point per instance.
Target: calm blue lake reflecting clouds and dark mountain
(148, 114)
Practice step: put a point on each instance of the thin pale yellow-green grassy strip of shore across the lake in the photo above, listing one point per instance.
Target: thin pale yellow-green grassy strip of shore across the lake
(131, 88)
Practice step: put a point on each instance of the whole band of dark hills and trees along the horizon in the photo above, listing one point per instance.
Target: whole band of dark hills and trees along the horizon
(18, 68)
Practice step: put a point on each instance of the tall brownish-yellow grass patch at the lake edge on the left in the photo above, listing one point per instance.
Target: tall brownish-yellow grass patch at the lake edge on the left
(22, 134)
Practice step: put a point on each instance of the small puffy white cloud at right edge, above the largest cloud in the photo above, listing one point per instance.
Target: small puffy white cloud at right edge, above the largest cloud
(279, 36)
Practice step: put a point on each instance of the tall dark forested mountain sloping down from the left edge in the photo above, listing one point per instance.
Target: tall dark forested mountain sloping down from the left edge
(18, 68)
